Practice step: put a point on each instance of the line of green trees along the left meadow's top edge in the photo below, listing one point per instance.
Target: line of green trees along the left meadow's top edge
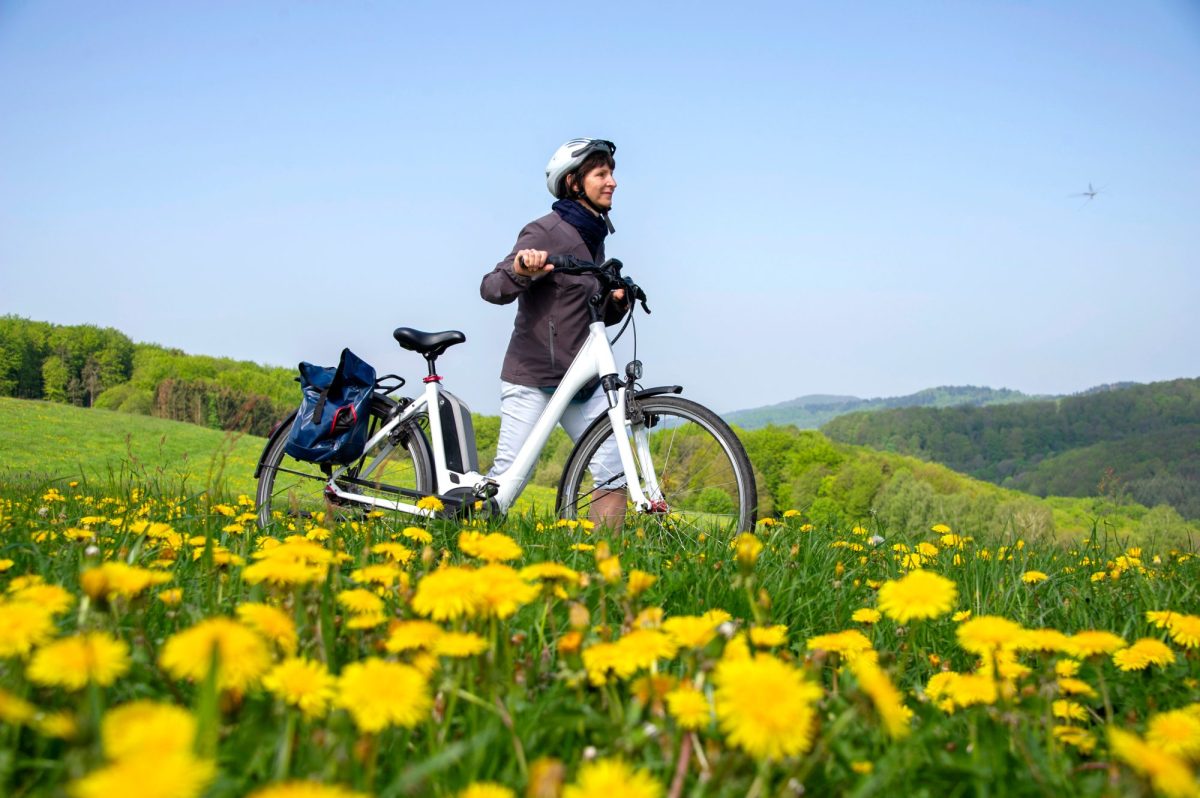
(92, 367)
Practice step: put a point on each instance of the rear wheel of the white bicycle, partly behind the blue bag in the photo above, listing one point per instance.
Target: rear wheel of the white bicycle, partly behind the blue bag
(290, 490)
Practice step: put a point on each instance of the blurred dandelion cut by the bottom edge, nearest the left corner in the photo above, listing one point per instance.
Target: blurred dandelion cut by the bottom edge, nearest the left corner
(179, 776)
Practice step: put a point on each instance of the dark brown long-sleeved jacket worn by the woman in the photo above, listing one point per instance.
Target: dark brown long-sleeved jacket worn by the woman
(553, 313)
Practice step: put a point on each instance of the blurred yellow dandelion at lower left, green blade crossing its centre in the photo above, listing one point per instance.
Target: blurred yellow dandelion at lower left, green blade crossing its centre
(242, 655)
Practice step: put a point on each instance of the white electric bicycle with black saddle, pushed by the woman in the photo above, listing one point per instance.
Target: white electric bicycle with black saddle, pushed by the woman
(692, 471)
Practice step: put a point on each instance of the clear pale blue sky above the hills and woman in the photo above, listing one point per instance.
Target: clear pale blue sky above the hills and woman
(841, 199)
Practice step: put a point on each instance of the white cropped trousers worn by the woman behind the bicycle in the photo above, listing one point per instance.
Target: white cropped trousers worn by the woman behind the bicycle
(520, 410)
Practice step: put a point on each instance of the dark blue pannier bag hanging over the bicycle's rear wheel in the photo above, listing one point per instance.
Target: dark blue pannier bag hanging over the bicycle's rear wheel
(332, 424)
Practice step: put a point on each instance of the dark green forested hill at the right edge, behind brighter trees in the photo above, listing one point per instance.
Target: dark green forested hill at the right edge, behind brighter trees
(1139, 443)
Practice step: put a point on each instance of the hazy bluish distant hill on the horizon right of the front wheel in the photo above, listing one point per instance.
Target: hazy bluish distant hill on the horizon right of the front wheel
(814, 411)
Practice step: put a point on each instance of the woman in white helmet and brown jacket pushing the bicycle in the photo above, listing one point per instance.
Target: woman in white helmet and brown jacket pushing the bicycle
(553, 317)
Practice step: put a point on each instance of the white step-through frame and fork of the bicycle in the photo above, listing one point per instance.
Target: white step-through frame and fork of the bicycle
(596, 359)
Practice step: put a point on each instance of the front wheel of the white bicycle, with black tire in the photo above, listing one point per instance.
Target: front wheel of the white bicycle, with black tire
(704, 477)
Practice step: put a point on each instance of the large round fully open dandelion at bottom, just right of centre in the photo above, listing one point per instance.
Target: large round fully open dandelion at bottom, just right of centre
(765, 706)
